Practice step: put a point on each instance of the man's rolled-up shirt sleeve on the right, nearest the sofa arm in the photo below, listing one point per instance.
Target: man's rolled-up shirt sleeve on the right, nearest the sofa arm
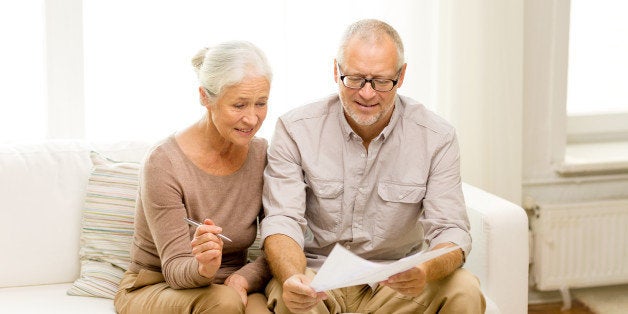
(444, 212)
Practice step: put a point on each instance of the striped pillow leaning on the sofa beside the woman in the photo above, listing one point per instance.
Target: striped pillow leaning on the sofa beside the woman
(107, 226)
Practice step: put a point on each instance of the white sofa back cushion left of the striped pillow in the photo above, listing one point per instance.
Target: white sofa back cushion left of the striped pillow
(42, 186)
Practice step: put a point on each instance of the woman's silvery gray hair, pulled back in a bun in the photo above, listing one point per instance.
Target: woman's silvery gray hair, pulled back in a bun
(228, 63)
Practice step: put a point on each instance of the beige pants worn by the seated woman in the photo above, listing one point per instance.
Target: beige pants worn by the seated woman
(147, 292)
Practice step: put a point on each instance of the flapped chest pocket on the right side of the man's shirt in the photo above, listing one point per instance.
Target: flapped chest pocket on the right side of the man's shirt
(398, 215)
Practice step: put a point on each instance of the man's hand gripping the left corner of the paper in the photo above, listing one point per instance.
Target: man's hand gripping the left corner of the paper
(298, 296)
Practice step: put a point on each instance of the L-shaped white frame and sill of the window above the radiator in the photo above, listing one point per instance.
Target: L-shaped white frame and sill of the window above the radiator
(569, 133)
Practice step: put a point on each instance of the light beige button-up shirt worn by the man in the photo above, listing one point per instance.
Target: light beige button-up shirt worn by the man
(322, 187)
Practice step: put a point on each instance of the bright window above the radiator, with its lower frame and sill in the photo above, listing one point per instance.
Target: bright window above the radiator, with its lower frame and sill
(597, 100)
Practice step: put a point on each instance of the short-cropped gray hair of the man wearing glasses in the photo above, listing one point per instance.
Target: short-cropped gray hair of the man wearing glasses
(370, 29)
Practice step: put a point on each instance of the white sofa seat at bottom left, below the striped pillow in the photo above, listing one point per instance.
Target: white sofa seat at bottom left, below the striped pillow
(51, 299)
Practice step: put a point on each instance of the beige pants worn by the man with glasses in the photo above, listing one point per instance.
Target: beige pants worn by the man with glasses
(457, 293)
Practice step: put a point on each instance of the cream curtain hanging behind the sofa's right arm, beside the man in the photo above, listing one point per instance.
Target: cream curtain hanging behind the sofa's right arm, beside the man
(480, 80)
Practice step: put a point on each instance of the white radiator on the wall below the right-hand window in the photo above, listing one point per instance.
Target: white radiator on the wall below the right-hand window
(580, 245)
